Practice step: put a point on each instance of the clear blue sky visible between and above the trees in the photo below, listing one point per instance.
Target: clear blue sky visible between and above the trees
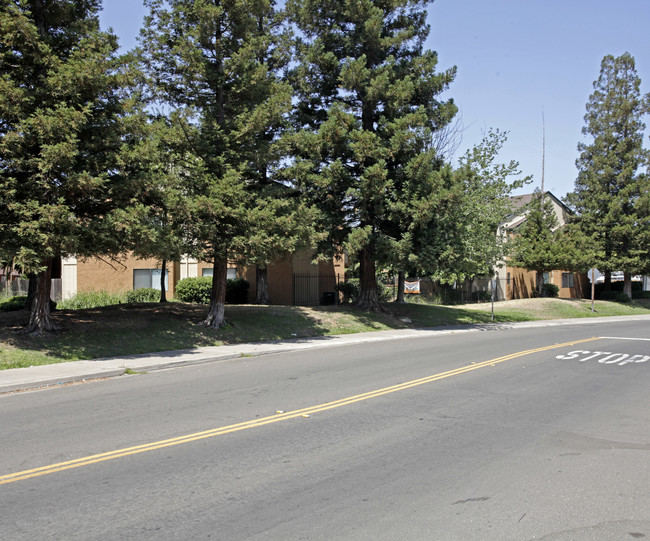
(515, 58)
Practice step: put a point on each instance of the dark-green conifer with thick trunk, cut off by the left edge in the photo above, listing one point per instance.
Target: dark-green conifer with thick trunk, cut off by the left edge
(61, 112)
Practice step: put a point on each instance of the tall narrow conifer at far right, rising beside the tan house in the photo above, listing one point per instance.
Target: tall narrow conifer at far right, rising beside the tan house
(611, 192)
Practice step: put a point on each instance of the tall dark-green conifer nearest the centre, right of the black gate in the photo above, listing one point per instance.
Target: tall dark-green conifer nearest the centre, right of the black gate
(367, 109)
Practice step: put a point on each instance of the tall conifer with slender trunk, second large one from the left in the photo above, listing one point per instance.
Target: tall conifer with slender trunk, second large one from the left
(215, 66)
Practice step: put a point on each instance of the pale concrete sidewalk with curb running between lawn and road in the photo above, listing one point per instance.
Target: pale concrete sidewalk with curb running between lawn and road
(19, 379)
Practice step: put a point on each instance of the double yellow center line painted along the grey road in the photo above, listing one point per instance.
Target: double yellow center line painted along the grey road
(119, 453)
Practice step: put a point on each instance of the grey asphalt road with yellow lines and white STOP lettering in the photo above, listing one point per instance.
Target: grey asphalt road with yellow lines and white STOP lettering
(514, 434)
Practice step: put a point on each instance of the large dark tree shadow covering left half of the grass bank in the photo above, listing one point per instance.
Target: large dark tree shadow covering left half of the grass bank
(130, 329)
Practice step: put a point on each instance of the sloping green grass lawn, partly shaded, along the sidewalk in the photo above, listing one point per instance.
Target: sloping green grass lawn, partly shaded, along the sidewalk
(143, 328)
